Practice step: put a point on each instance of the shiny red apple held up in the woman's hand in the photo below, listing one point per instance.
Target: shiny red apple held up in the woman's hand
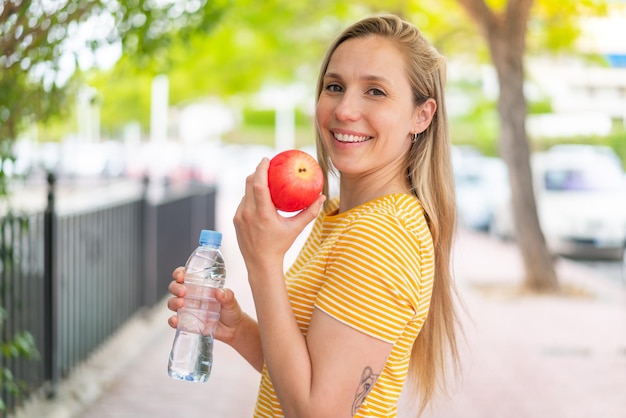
(295, 180)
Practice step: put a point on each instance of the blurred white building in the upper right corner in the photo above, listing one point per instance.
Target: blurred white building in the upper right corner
(586, 99)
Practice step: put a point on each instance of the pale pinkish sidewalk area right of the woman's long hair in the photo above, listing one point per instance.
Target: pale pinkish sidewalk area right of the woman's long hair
(532, 356)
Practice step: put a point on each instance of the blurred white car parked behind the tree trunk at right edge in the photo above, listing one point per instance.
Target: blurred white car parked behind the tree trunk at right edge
(581, 202)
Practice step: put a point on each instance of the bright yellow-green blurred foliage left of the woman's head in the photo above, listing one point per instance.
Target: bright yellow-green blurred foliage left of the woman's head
(254, 43)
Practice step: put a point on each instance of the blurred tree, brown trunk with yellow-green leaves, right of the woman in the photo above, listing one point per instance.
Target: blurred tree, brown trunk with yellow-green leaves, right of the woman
(507, 26)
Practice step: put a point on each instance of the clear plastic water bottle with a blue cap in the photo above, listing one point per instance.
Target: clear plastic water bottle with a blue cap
(191, 356)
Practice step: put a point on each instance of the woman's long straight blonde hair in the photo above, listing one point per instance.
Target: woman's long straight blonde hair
(429, 171)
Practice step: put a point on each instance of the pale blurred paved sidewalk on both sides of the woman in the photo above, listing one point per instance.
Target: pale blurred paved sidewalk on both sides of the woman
(525, 356)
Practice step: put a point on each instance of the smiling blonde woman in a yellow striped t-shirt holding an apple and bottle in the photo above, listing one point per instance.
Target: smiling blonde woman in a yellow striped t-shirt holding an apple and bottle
(368, 301)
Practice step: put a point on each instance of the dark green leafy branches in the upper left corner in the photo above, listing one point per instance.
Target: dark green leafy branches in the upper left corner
(40, 39)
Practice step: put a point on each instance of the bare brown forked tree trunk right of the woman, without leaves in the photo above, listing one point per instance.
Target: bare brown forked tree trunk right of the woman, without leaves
(505, 35)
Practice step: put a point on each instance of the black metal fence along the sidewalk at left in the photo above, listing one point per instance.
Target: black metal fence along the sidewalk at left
(71, 276)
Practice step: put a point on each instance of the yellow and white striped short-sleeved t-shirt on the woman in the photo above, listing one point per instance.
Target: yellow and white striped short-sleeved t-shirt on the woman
(371, 268)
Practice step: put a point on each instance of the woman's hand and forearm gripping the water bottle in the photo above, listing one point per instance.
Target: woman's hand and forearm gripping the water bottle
(236, 328)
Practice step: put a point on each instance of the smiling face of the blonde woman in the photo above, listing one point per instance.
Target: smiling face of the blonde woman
(365, 112)
